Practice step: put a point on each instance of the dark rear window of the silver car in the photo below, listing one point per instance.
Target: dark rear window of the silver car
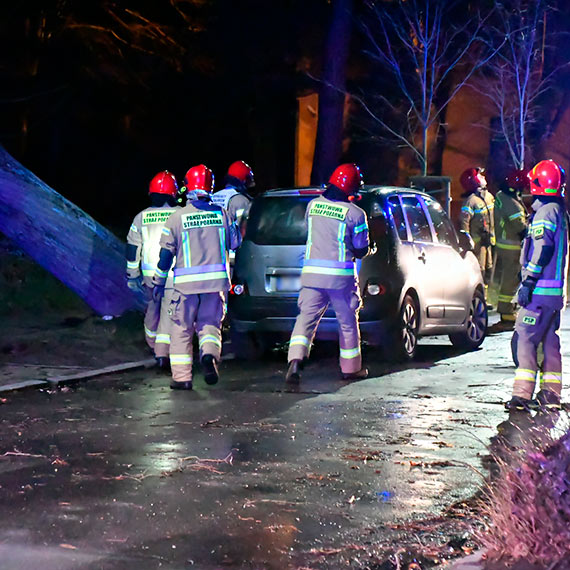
(278, 220)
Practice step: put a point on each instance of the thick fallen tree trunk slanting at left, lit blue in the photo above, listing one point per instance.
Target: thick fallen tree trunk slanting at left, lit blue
(62, 238)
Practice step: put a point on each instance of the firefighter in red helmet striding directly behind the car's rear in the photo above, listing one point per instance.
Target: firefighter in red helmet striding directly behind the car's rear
(337, 234)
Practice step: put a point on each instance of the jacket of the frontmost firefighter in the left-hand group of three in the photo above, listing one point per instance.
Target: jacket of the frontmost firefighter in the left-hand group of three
(199, 237)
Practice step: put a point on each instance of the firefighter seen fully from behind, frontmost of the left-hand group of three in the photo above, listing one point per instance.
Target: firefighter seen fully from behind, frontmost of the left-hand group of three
(199, 237)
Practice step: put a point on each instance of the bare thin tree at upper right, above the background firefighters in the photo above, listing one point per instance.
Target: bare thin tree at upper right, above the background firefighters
(516, 79)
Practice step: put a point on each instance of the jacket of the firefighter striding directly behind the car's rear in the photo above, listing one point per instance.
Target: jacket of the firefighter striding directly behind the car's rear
(336, 230)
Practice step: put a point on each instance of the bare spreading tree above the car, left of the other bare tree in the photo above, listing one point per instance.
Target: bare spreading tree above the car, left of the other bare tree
(427, 48)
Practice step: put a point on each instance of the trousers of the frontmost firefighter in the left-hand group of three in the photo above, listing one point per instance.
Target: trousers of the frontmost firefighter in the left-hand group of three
(202, 313)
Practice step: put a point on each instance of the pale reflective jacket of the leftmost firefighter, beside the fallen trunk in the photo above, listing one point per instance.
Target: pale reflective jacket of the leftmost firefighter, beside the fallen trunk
(145, 233)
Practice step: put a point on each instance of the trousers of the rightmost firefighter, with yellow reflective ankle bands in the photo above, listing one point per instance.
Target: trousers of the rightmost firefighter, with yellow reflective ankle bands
(533, 326)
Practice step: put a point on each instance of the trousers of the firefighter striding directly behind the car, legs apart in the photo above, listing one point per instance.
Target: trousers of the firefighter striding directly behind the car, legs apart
(312, 305)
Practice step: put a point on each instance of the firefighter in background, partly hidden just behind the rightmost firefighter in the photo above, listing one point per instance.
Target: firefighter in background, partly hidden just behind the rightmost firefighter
(510, 224)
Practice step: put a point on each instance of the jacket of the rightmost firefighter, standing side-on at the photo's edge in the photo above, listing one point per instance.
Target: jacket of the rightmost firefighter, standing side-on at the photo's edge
(544, 254)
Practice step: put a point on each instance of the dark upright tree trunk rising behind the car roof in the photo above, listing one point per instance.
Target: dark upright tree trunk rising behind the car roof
(328, 146)
